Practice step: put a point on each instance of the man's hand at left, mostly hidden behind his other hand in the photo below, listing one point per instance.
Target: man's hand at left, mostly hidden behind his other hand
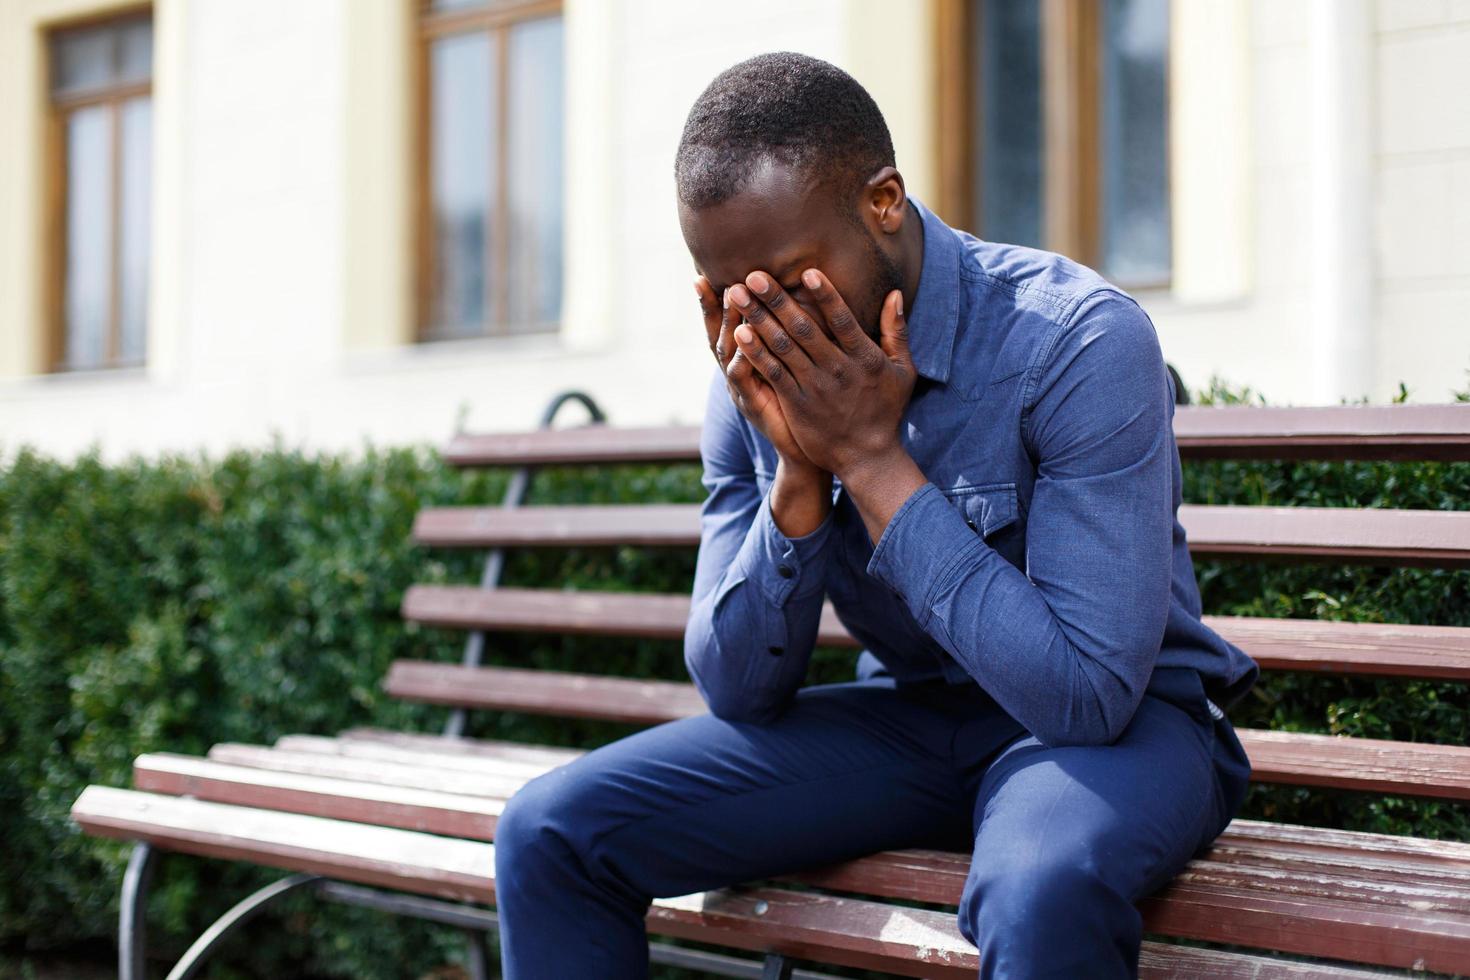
(802, 494)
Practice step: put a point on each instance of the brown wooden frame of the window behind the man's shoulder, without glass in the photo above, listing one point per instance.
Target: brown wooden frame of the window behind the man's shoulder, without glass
(1072, 159)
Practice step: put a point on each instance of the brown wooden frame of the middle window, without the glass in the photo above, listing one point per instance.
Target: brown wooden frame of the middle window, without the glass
(495, 17)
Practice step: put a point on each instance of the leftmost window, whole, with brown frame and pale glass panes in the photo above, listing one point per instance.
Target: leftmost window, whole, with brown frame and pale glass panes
(102, 136)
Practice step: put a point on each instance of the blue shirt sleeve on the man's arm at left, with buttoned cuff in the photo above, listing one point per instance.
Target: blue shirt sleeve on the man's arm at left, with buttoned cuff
(758, 594)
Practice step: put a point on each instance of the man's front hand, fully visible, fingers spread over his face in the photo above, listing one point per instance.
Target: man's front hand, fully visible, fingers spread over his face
(842, 399)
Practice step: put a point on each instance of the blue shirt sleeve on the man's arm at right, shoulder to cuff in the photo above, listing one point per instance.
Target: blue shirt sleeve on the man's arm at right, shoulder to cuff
(1068, 646)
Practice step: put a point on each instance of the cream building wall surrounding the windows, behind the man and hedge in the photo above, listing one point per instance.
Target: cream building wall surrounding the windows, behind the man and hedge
(283, 253)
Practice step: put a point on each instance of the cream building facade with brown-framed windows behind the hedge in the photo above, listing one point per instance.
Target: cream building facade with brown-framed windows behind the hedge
(331, 221)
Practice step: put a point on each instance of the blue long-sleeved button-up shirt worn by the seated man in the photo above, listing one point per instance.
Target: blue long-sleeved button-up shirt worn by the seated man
(1041, 561)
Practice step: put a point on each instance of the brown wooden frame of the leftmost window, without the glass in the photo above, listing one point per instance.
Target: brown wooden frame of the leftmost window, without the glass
(55, 165)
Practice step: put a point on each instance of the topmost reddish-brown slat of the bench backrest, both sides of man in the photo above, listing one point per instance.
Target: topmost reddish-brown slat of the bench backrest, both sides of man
(1335, 433)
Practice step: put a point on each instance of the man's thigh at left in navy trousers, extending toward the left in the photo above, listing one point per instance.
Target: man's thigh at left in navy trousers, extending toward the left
(702, 803)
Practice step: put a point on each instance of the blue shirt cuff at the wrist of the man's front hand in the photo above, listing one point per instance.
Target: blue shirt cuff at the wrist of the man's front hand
(922, 543)
